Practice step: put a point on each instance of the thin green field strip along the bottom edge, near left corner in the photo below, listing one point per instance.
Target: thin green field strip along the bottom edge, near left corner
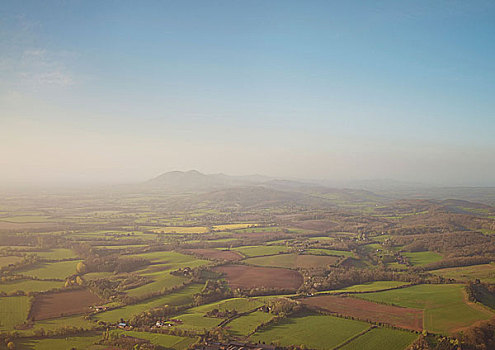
(66, 342)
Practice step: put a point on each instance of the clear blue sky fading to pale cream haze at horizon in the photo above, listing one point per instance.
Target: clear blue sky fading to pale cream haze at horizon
(121, 91)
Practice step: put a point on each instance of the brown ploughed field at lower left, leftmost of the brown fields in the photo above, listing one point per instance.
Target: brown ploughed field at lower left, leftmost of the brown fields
(63, 304)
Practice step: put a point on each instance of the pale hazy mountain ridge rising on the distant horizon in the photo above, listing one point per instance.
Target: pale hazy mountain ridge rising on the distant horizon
(254, 190)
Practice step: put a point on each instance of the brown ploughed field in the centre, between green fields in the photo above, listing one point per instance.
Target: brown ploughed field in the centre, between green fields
(246, 277)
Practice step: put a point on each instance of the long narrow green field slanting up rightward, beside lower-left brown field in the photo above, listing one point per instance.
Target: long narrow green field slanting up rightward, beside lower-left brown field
(182, 297)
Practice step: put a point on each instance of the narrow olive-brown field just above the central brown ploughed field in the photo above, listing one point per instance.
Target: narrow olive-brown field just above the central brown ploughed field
(293, 261)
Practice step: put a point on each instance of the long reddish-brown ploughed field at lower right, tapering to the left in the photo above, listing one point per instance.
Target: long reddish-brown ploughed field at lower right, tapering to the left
(366, 310)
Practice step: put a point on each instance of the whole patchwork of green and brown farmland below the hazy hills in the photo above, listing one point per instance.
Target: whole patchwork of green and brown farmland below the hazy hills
(361, 275)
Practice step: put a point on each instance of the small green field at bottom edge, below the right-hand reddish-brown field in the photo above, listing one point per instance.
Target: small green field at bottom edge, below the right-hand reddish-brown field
(382, 339)
